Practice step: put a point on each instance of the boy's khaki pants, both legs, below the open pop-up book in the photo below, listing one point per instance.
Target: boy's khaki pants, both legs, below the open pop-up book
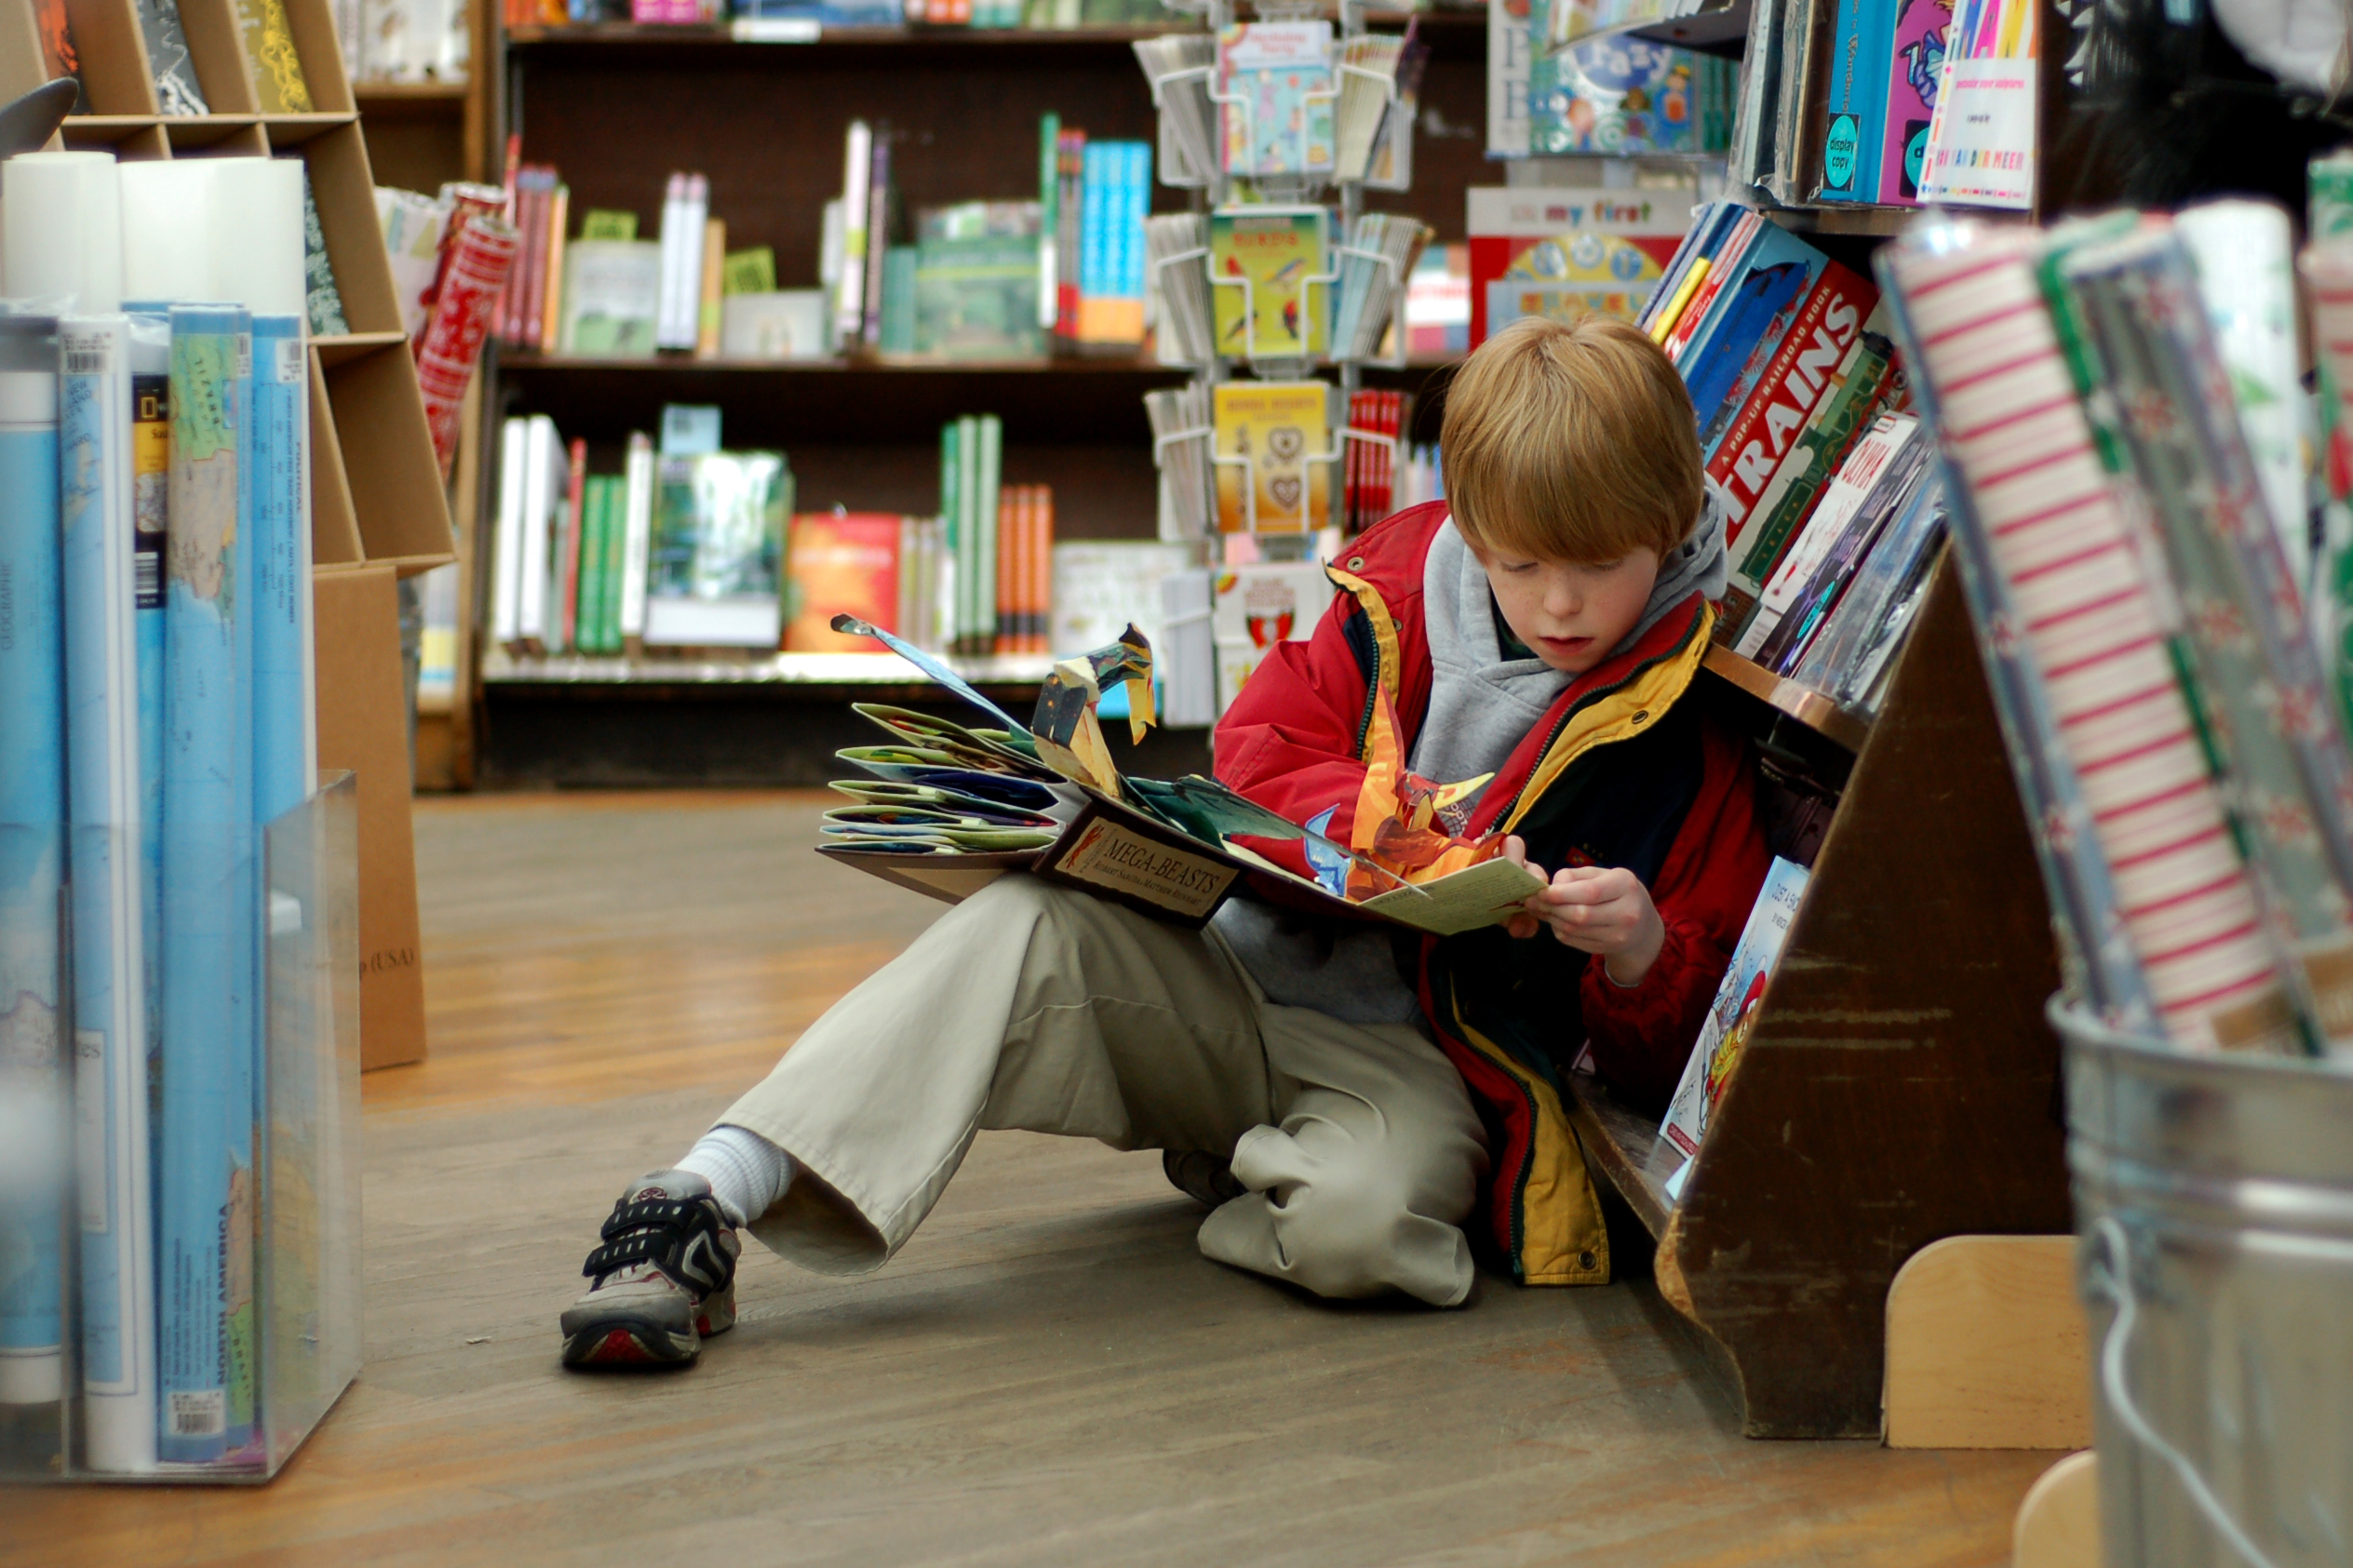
(1044, 1010)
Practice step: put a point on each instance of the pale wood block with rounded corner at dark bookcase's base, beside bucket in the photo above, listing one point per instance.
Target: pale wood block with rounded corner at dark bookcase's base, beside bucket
(1987, 1346)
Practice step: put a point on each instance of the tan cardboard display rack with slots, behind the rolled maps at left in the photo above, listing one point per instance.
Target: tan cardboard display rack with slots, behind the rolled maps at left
(378, 497)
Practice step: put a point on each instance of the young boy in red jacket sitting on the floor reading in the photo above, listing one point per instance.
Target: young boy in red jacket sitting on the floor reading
(1345, 1099)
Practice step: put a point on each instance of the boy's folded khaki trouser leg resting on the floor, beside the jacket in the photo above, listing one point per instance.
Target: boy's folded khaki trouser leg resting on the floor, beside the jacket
(1371, 1174)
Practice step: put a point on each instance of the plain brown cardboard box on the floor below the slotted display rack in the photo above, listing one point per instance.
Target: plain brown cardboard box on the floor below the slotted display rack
(364, 728)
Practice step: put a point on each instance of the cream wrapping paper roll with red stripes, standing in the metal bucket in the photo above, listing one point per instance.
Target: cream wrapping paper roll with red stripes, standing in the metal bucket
(2074, 605)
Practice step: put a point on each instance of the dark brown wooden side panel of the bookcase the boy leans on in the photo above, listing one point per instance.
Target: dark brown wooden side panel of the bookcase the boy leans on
(1900, 1083)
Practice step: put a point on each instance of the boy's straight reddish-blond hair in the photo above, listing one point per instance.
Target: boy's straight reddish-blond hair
(1571, 441)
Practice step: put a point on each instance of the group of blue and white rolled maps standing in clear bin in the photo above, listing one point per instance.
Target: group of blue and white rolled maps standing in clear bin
(156, 692)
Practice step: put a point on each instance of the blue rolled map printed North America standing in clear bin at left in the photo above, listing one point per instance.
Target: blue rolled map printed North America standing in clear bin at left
(211, 902)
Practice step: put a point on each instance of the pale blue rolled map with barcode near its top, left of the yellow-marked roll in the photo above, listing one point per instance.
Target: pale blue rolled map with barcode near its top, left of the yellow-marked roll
(107, 857)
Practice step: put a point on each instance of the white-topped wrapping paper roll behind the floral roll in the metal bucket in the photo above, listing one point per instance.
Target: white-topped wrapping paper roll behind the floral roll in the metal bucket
(2248, 283)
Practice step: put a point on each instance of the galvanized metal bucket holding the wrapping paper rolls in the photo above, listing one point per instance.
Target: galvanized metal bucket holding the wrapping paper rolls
(2215, 1207)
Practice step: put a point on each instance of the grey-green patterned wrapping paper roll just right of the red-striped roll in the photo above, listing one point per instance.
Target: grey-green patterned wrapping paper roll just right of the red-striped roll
(2168, 406)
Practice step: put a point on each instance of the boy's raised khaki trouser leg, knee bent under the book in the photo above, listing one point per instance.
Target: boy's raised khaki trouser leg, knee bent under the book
(1025, 1007)
